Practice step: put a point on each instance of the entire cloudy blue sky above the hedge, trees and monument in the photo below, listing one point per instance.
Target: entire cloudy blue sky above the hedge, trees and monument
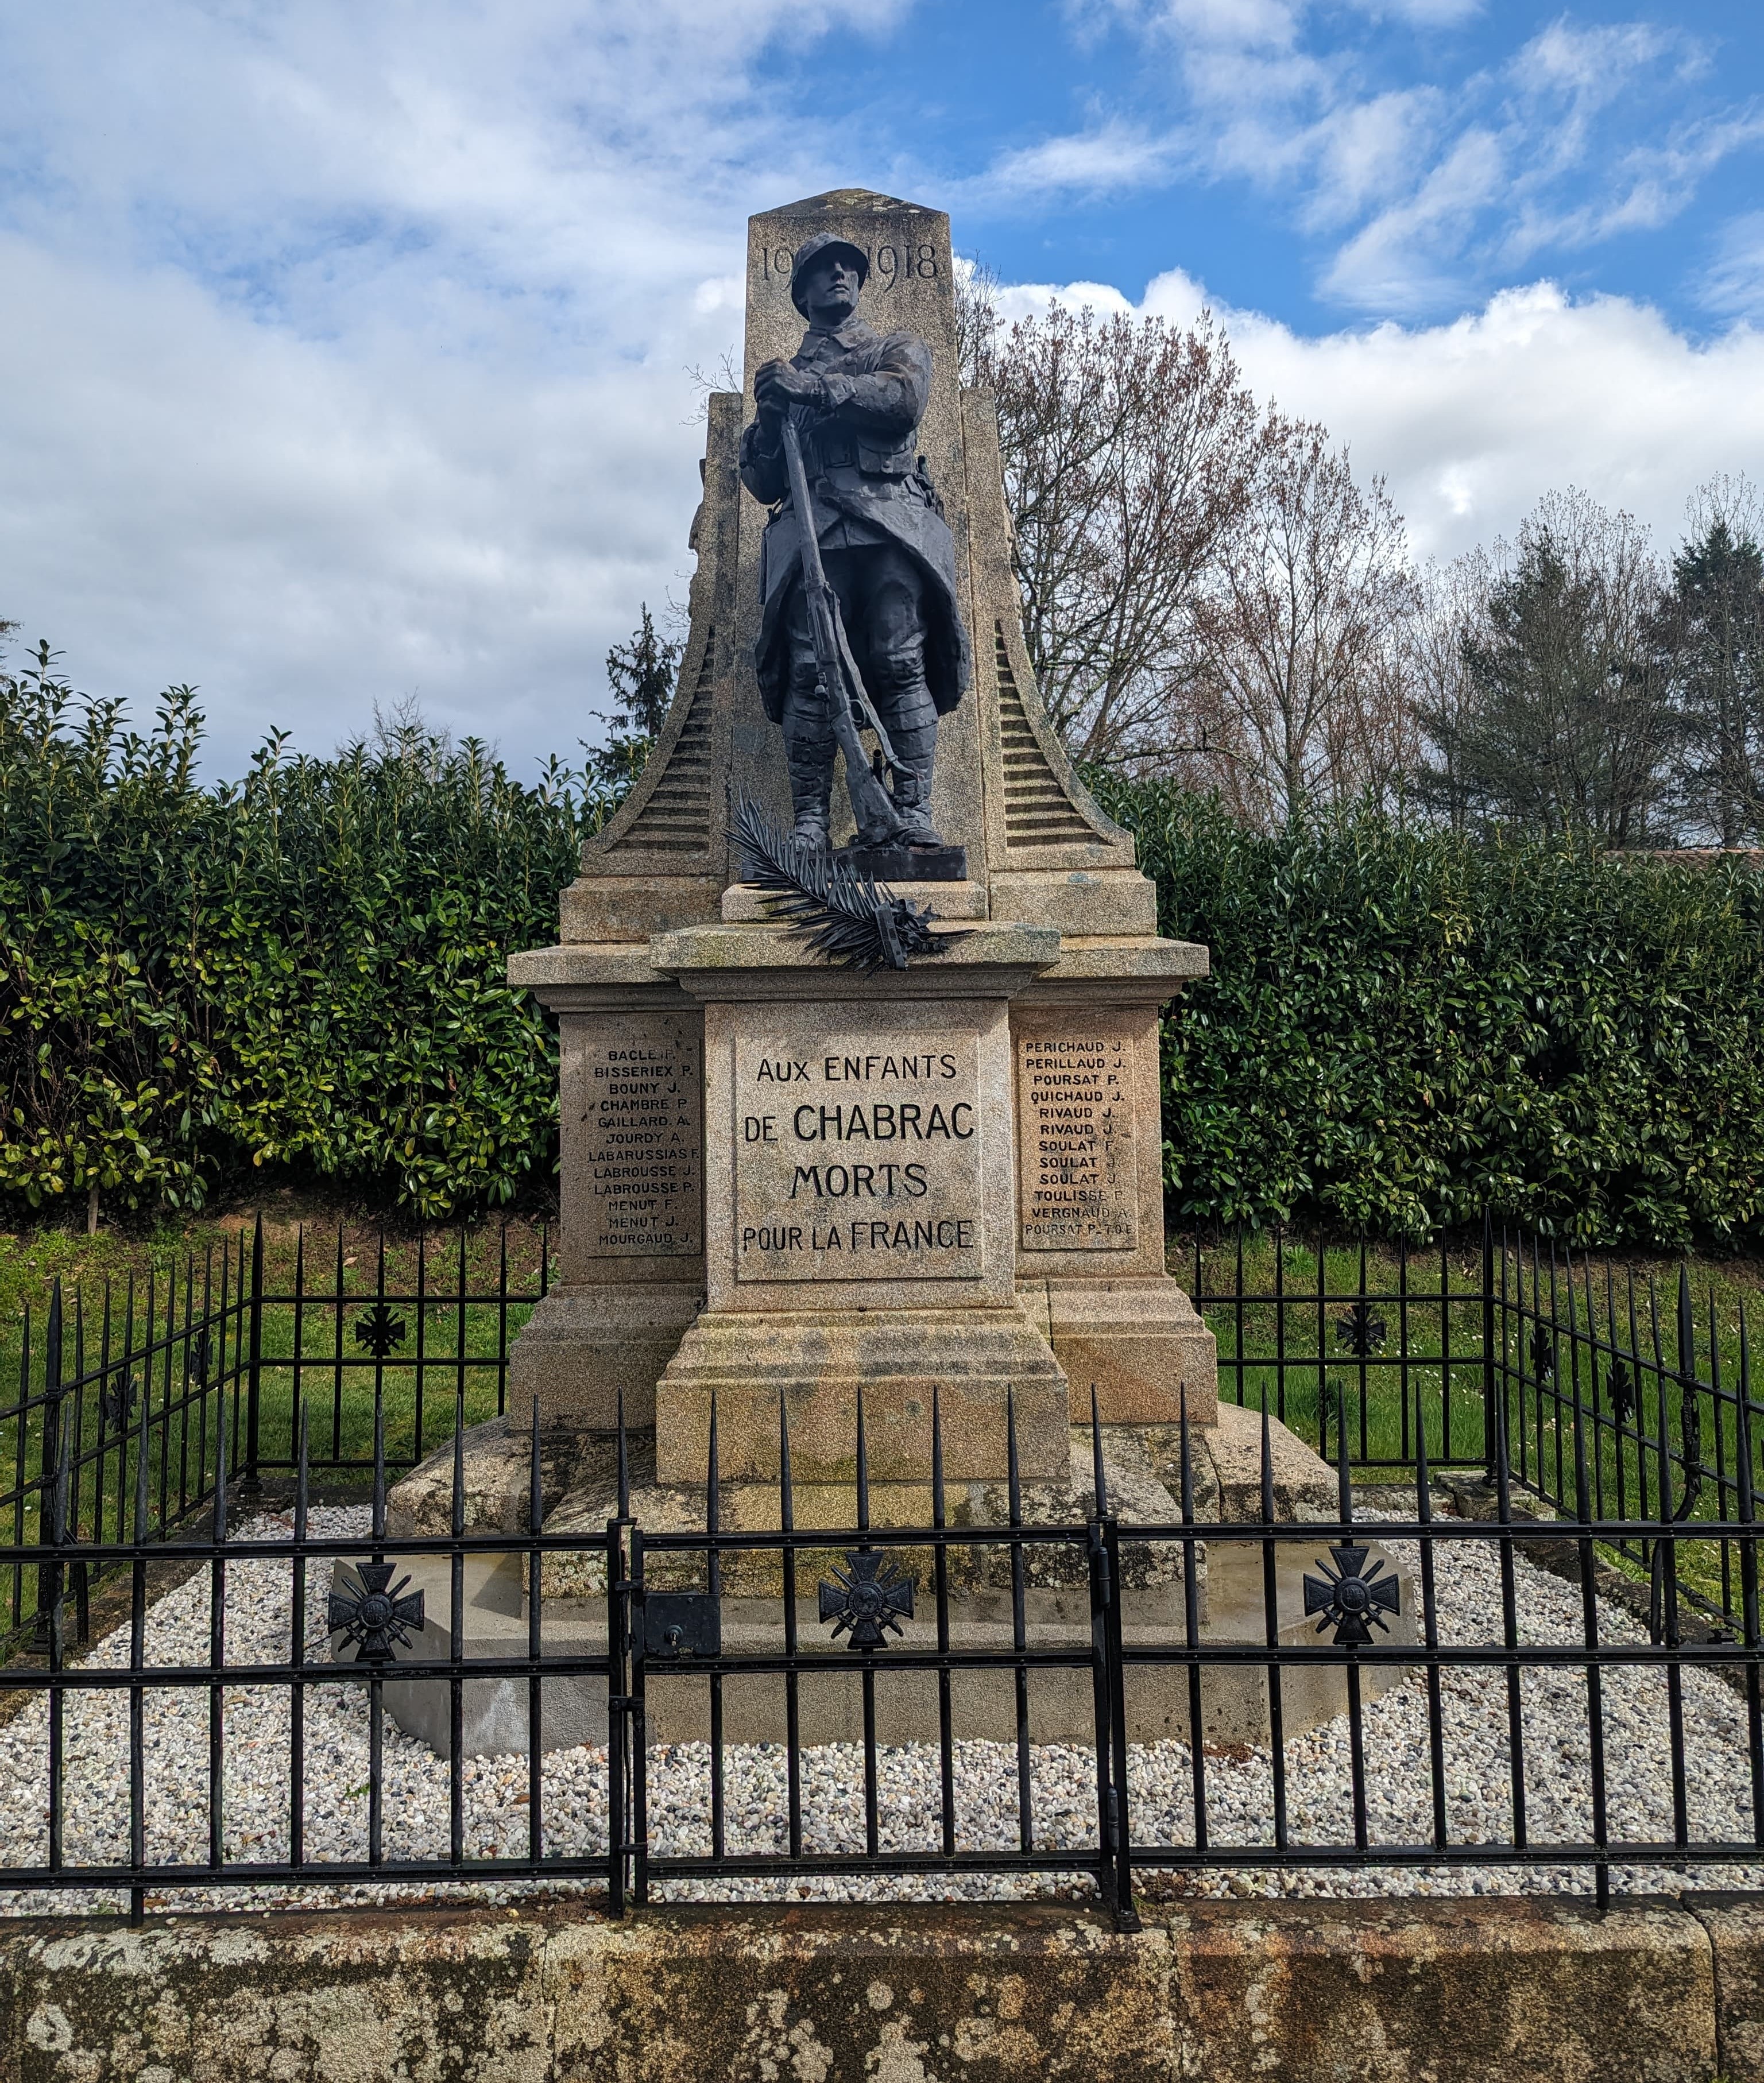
(347, 349)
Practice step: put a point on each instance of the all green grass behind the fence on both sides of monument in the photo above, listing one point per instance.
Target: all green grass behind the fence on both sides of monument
(1394, 1342)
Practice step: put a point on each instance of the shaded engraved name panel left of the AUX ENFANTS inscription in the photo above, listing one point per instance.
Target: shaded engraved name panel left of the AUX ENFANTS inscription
(642, 1111)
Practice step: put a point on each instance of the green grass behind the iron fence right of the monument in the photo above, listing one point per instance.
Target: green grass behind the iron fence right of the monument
(1413, 1357)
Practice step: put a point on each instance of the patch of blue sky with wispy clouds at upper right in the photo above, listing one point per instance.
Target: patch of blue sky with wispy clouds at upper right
(1328, 164)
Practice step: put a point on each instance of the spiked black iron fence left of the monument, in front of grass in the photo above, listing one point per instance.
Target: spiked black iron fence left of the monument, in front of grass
(232, 1342)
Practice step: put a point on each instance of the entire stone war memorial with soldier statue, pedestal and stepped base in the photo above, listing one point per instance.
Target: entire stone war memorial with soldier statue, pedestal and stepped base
(932, 1176)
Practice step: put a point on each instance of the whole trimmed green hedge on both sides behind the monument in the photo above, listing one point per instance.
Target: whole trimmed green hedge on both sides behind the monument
(305, 972)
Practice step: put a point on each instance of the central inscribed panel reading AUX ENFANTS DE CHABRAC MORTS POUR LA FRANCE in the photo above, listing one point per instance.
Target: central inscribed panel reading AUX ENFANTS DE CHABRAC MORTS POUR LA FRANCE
(857, 1159)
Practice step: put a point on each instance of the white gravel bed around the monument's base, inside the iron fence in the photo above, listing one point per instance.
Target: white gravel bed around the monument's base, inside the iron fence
(1063, 1778)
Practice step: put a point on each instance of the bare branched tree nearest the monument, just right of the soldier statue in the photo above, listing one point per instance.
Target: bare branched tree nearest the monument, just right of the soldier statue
(1130, 449)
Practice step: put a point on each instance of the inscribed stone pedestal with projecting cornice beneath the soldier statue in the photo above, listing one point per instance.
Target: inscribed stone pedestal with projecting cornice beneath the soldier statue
(947, 1180)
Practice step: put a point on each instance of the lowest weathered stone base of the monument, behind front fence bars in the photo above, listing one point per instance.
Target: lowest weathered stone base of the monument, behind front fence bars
(1142, 1480)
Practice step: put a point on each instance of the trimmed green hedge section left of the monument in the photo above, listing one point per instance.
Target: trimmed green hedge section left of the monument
(303, 970)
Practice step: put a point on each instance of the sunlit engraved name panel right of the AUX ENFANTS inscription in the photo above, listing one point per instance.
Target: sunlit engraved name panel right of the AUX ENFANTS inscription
(1078, 1176)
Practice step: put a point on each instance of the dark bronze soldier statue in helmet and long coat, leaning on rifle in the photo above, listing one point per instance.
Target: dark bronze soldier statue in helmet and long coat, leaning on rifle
(855, 399)
